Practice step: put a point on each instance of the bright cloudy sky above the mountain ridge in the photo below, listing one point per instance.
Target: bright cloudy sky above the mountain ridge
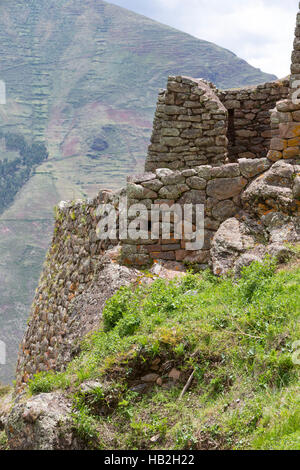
(260, 31)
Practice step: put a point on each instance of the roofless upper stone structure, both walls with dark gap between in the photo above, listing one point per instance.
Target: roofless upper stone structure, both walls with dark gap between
(196, 124)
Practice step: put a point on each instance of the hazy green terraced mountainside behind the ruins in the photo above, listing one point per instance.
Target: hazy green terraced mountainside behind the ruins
(81, 77)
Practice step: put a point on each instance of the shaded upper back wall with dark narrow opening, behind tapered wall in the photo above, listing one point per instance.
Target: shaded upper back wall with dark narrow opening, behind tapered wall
(249, 131)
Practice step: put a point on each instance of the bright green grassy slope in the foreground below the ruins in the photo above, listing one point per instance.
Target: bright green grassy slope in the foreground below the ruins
(236, 338)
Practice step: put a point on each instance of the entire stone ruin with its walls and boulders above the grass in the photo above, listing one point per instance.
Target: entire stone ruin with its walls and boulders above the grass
(237, 152)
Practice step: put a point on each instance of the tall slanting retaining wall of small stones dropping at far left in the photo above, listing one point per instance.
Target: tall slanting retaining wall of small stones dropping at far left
(71, 265)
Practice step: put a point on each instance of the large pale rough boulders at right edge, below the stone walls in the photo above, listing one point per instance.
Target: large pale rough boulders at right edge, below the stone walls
(271, 221)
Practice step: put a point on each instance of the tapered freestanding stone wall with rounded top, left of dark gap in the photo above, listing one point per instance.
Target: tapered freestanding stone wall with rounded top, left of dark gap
(189, 128)
